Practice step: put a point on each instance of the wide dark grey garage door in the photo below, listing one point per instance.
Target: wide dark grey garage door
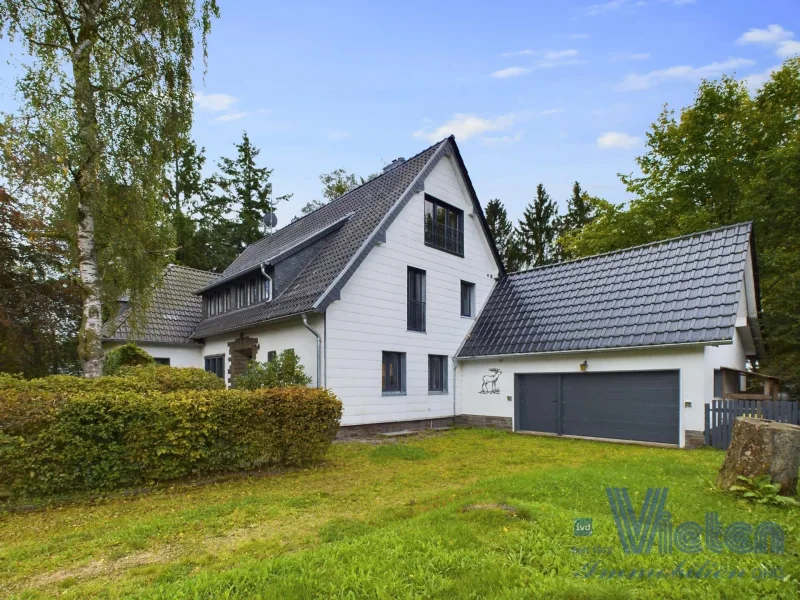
(632, 405)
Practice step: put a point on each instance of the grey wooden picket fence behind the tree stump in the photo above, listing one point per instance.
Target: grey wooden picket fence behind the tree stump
(721, 414)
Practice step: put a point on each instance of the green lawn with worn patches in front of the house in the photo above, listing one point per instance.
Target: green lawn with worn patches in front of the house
(388, 521)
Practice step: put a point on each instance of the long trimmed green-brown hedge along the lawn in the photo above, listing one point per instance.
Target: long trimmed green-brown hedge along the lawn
(105, 439)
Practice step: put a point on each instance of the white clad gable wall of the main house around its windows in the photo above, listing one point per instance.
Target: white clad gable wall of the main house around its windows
(371, 317)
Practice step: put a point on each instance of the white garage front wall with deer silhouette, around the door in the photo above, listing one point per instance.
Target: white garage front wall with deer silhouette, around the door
(689, 360)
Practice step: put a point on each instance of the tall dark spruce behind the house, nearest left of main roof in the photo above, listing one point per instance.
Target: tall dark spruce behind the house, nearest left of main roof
(245, 189)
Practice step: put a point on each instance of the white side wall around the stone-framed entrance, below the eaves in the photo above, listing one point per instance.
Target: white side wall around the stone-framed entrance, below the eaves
(278, 336)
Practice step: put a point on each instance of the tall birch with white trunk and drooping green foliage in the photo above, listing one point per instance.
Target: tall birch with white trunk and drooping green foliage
(105, 92)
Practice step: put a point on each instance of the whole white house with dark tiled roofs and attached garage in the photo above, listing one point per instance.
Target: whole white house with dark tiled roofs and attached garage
(394, 297)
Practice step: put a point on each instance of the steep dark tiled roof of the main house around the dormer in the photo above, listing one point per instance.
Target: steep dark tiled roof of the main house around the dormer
(371, 208)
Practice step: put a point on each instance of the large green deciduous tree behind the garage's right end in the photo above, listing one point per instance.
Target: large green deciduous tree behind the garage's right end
(729, 157)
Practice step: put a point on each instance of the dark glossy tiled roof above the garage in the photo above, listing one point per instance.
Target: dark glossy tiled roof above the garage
(684, 290)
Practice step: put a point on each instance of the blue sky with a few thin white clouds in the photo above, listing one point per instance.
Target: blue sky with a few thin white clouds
(535, 92)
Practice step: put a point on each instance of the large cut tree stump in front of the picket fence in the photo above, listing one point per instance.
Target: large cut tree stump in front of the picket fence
(762, 447)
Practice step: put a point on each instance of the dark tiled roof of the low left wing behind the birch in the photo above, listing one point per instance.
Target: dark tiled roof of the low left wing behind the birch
(173, 314)
